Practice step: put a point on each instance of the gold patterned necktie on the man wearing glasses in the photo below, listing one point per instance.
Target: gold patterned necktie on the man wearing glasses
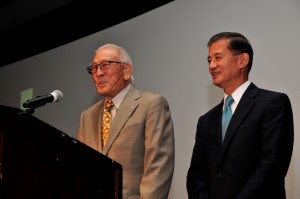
(106, 120)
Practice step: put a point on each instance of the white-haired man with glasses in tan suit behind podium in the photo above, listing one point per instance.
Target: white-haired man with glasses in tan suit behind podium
(141, 135)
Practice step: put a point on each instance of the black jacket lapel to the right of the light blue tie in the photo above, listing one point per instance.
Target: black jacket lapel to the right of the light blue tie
(245, 105)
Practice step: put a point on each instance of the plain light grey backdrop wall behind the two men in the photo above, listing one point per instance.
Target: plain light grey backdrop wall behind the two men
(168, 47)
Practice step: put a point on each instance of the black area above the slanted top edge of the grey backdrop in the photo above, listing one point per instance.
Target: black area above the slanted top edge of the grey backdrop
(30, 27)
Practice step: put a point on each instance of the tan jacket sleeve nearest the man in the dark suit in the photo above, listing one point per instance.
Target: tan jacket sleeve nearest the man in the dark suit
(159, 151)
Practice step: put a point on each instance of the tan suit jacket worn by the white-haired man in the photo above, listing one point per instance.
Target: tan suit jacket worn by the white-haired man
(141, 139)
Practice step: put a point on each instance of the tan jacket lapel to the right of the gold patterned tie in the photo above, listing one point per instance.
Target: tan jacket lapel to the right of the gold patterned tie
(125, 110)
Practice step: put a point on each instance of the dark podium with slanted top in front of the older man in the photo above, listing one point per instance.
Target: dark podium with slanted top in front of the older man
(39, 161)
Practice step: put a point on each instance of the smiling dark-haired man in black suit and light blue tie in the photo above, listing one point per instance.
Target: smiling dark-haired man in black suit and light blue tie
(252, 159)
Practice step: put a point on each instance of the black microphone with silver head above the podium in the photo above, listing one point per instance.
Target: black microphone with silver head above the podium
(38, 101)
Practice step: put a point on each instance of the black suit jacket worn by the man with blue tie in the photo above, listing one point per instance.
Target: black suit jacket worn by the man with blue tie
(253, 161)
